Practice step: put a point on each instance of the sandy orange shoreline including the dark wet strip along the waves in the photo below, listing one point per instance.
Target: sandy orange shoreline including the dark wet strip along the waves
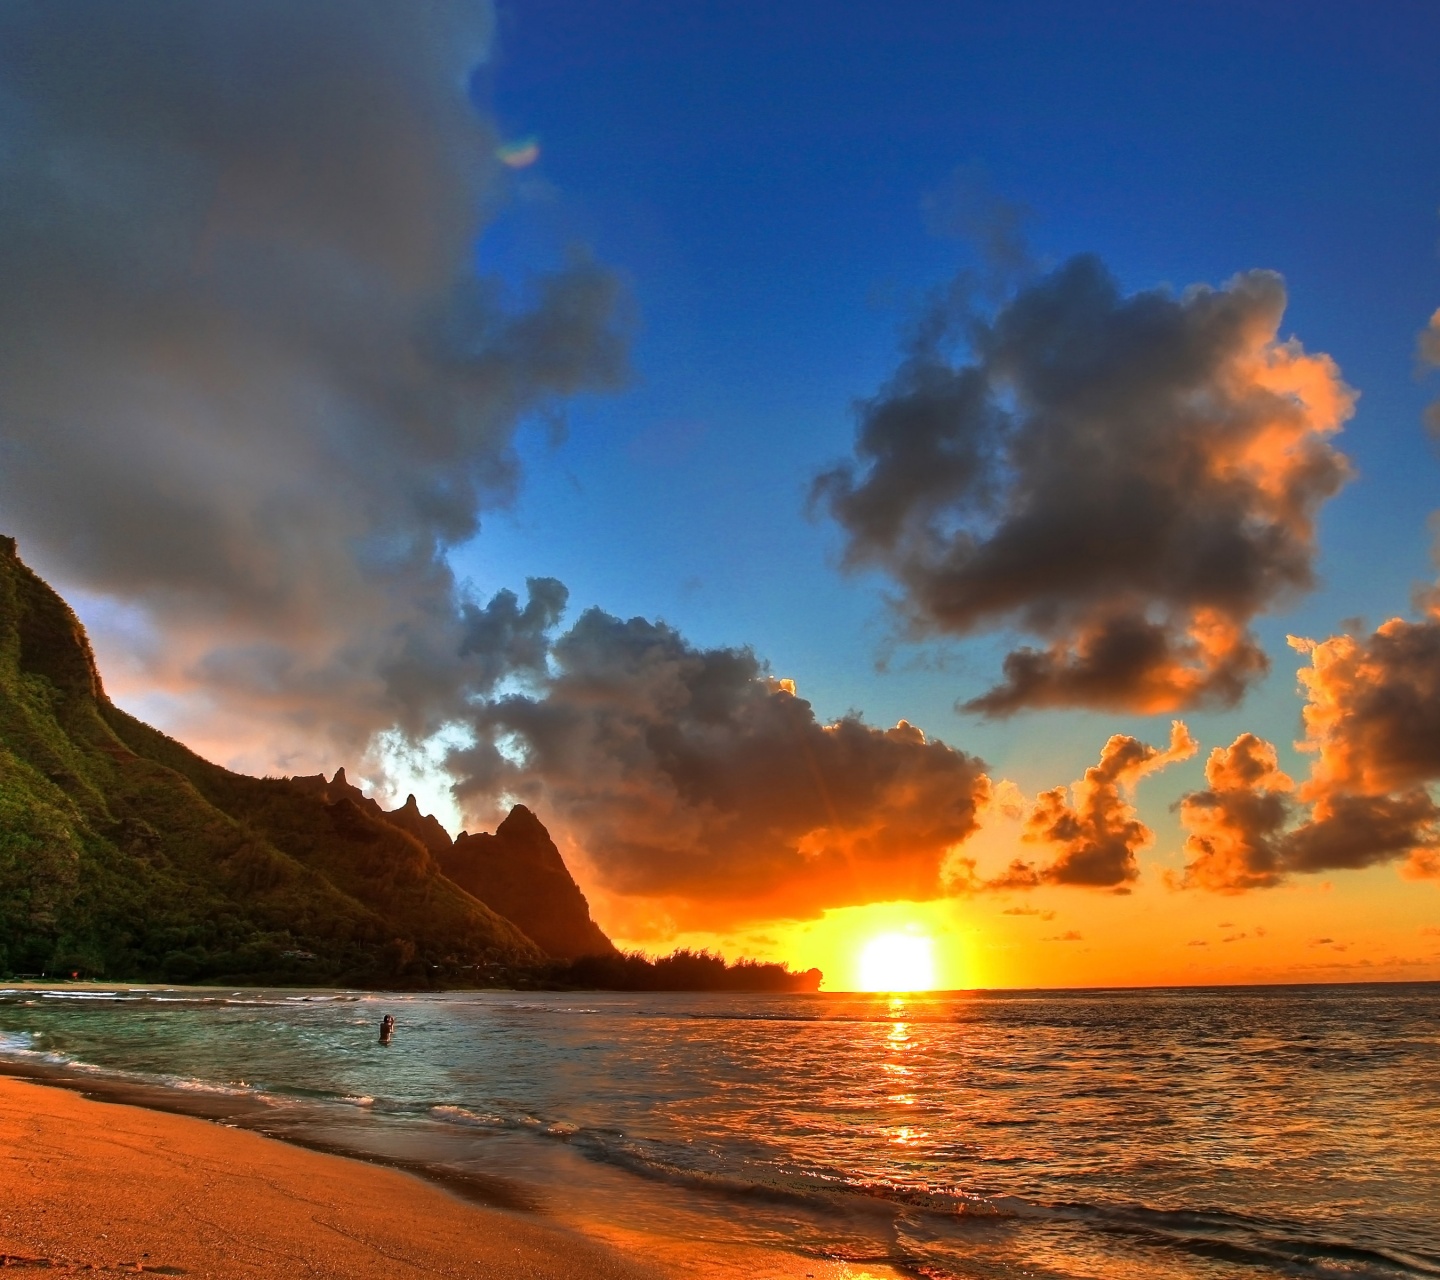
(224, 1134)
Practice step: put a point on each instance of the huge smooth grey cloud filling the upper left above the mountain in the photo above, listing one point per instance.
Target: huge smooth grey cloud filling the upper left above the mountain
(254, 387)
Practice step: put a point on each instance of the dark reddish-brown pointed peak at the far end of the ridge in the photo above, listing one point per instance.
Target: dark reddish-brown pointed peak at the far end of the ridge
(521, 873)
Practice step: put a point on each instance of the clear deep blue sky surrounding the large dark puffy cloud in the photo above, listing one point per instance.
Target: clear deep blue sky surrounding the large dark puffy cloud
(761, 175)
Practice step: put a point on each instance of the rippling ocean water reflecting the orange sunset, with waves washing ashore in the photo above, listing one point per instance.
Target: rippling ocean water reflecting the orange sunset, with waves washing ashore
(1115, 1134)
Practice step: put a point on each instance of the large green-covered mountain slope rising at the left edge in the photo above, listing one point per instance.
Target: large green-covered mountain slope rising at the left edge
(125, 855)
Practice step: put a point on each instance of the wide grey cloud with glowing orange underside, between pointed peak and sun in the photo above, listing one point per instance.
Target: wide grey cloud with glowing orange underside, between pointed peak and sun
(695, 777)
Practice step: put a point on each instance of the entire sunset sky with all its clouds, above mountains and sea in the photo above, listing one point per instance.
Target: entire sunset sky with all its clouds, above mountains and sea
(850, 469)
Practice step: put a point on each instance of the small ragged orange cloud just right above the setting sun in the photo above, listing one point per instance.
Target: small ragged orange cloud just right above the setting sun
(1094, 833)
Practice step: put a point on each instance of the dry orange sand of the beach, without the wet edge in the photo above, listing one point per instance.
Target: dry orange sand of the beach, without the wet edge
(103, 1187)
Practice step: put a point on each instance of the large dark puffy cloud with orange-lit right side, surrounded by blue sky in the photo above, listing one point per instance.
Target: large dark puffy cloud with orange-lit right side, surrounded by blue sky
(1130, 479)
